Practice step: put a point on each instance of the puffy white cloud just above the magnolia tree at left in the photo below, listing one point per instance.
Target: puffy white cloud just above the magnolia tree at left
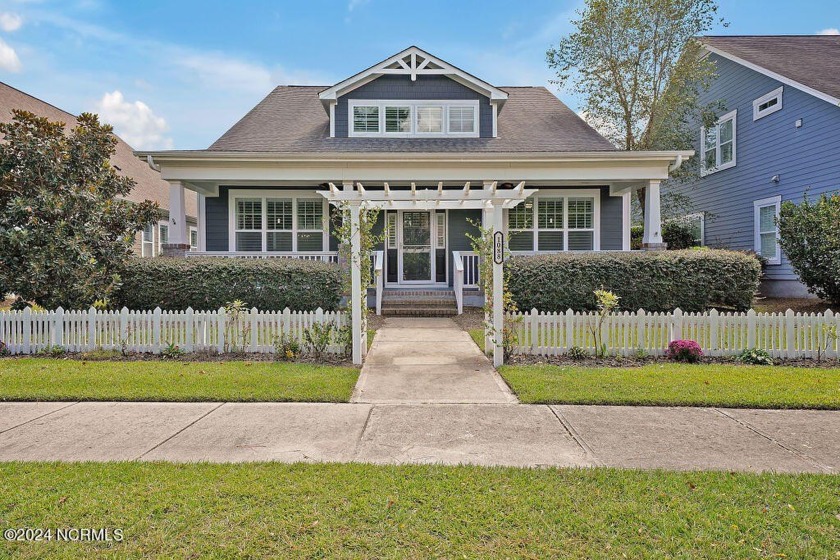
(134, 122)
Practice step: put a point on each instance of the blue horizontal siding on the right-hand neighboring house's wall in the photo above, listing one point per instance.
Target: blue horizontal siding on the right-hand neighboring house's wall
(807, 159)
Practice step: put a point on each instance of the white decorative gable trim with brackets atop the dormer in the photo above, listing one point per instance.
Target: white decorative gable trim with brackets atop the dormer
(412, 62)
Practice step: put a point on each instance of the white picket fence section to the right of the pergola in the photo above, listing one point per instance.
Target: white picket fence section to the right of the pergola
(782, 335)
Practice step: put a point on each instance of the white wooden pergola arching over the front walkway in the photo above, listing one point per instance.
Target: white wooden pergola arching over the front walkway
(490, 199)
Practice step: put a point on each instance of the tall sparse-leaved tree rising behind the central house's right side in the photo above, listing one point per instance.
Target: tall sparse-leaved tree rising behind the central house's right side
(639, 69)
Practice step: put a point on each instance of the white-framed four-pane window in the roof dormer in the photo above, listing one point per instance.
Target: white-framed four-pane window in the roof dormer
(405, 119)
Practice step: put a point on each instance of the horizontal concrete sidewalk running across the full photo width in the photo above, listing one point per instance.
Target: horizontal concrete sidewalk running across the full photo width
(484, 434)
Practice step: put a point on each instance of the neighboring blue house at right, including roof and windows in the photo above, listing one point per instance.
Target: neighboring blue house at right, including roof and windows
(777, 139)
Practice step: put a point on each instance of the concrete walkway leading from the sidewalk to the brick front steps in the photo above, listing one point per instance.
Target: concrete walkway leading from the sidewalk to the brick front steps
(421, 361)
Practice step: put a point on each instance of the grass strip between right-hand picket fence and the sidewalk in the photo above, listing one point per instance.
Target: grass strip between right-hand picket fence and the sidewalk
(678, 385)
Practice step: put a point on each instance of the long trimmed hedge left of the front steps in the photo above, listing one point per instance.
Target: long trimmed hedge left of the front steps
(209, 283)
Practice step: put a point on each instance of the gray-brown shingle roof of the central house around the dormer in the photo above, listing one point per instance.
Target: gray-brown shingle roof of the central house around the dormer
(291, 119)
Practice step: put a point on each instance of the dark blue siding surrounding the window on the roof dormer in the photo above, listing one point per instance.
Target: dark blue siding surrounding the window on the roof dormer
(425, 87)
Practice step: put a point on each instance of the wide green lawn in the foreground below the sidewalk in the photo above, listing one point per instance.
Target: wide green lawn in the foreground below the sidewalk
(362, 511)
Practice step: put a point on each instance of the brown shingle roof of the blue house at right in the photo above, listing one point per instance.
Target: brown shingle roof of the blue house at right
(811, 60)
